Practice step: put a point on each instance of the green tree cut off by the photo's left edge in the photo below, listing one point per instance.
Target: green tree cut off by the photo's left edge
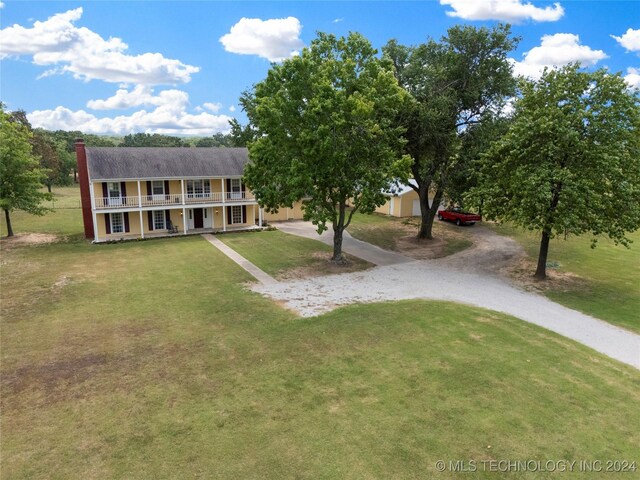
(20, 175)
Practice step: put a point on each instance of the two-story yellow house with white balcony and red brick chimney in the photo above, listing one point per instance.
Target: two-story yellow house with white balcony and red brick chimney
(138, 192)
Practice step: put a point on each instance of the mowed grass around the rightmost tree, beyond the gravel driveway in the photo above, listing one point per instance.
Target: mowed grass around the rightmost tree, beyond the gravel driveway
(609, 286)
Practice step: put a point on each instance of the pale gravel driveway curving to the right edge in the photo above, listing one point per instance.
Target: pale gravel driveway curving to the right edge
(465, 278)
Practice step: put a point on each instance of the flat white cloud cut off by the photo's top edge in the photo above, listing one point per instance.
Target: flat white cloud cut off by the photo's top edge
(505, 10)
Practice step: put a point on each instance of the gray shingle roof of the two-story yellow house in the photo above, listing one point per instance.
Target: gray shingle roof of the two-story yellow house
(119, 163)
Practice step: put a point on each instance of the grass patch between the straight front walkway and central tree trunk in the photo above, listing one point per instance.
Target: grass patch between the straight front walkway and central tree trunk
(278, 253)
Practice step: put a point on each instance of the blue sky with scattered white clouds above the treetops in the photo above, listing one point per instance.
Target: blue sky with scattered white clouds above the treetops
(179, 67)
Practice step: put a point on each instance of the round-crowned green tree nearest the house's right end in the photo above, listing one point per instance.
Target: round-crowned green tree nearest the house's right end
(325, 134)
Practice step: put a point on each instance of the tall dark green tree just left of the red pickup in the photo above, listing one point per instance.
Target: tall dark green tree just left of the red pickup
(453, 83)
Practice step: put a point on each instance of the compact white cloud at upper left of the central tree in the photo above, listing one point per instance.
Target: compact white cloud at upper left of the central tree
(274, 39)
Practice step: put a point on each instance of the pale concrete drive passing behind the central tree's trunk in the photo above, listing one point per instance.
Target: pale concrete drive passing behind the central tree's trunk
(350, 245)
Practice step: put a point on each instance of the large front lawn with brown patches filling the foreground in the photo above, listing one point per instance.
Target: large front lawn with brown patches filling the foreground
(150, 360)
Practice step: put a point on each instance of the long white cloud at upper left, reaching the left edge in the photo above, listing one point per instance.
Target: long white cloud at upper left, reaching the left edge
(86, 55)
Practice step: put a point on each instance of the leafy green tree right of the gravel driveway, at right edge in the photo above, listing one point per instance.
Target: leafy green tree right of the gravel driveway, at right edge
(570, 161)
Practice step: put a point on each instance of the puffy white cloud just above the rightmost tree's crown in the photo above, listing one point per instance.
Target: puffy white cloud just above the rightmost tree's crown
(556, 51)
